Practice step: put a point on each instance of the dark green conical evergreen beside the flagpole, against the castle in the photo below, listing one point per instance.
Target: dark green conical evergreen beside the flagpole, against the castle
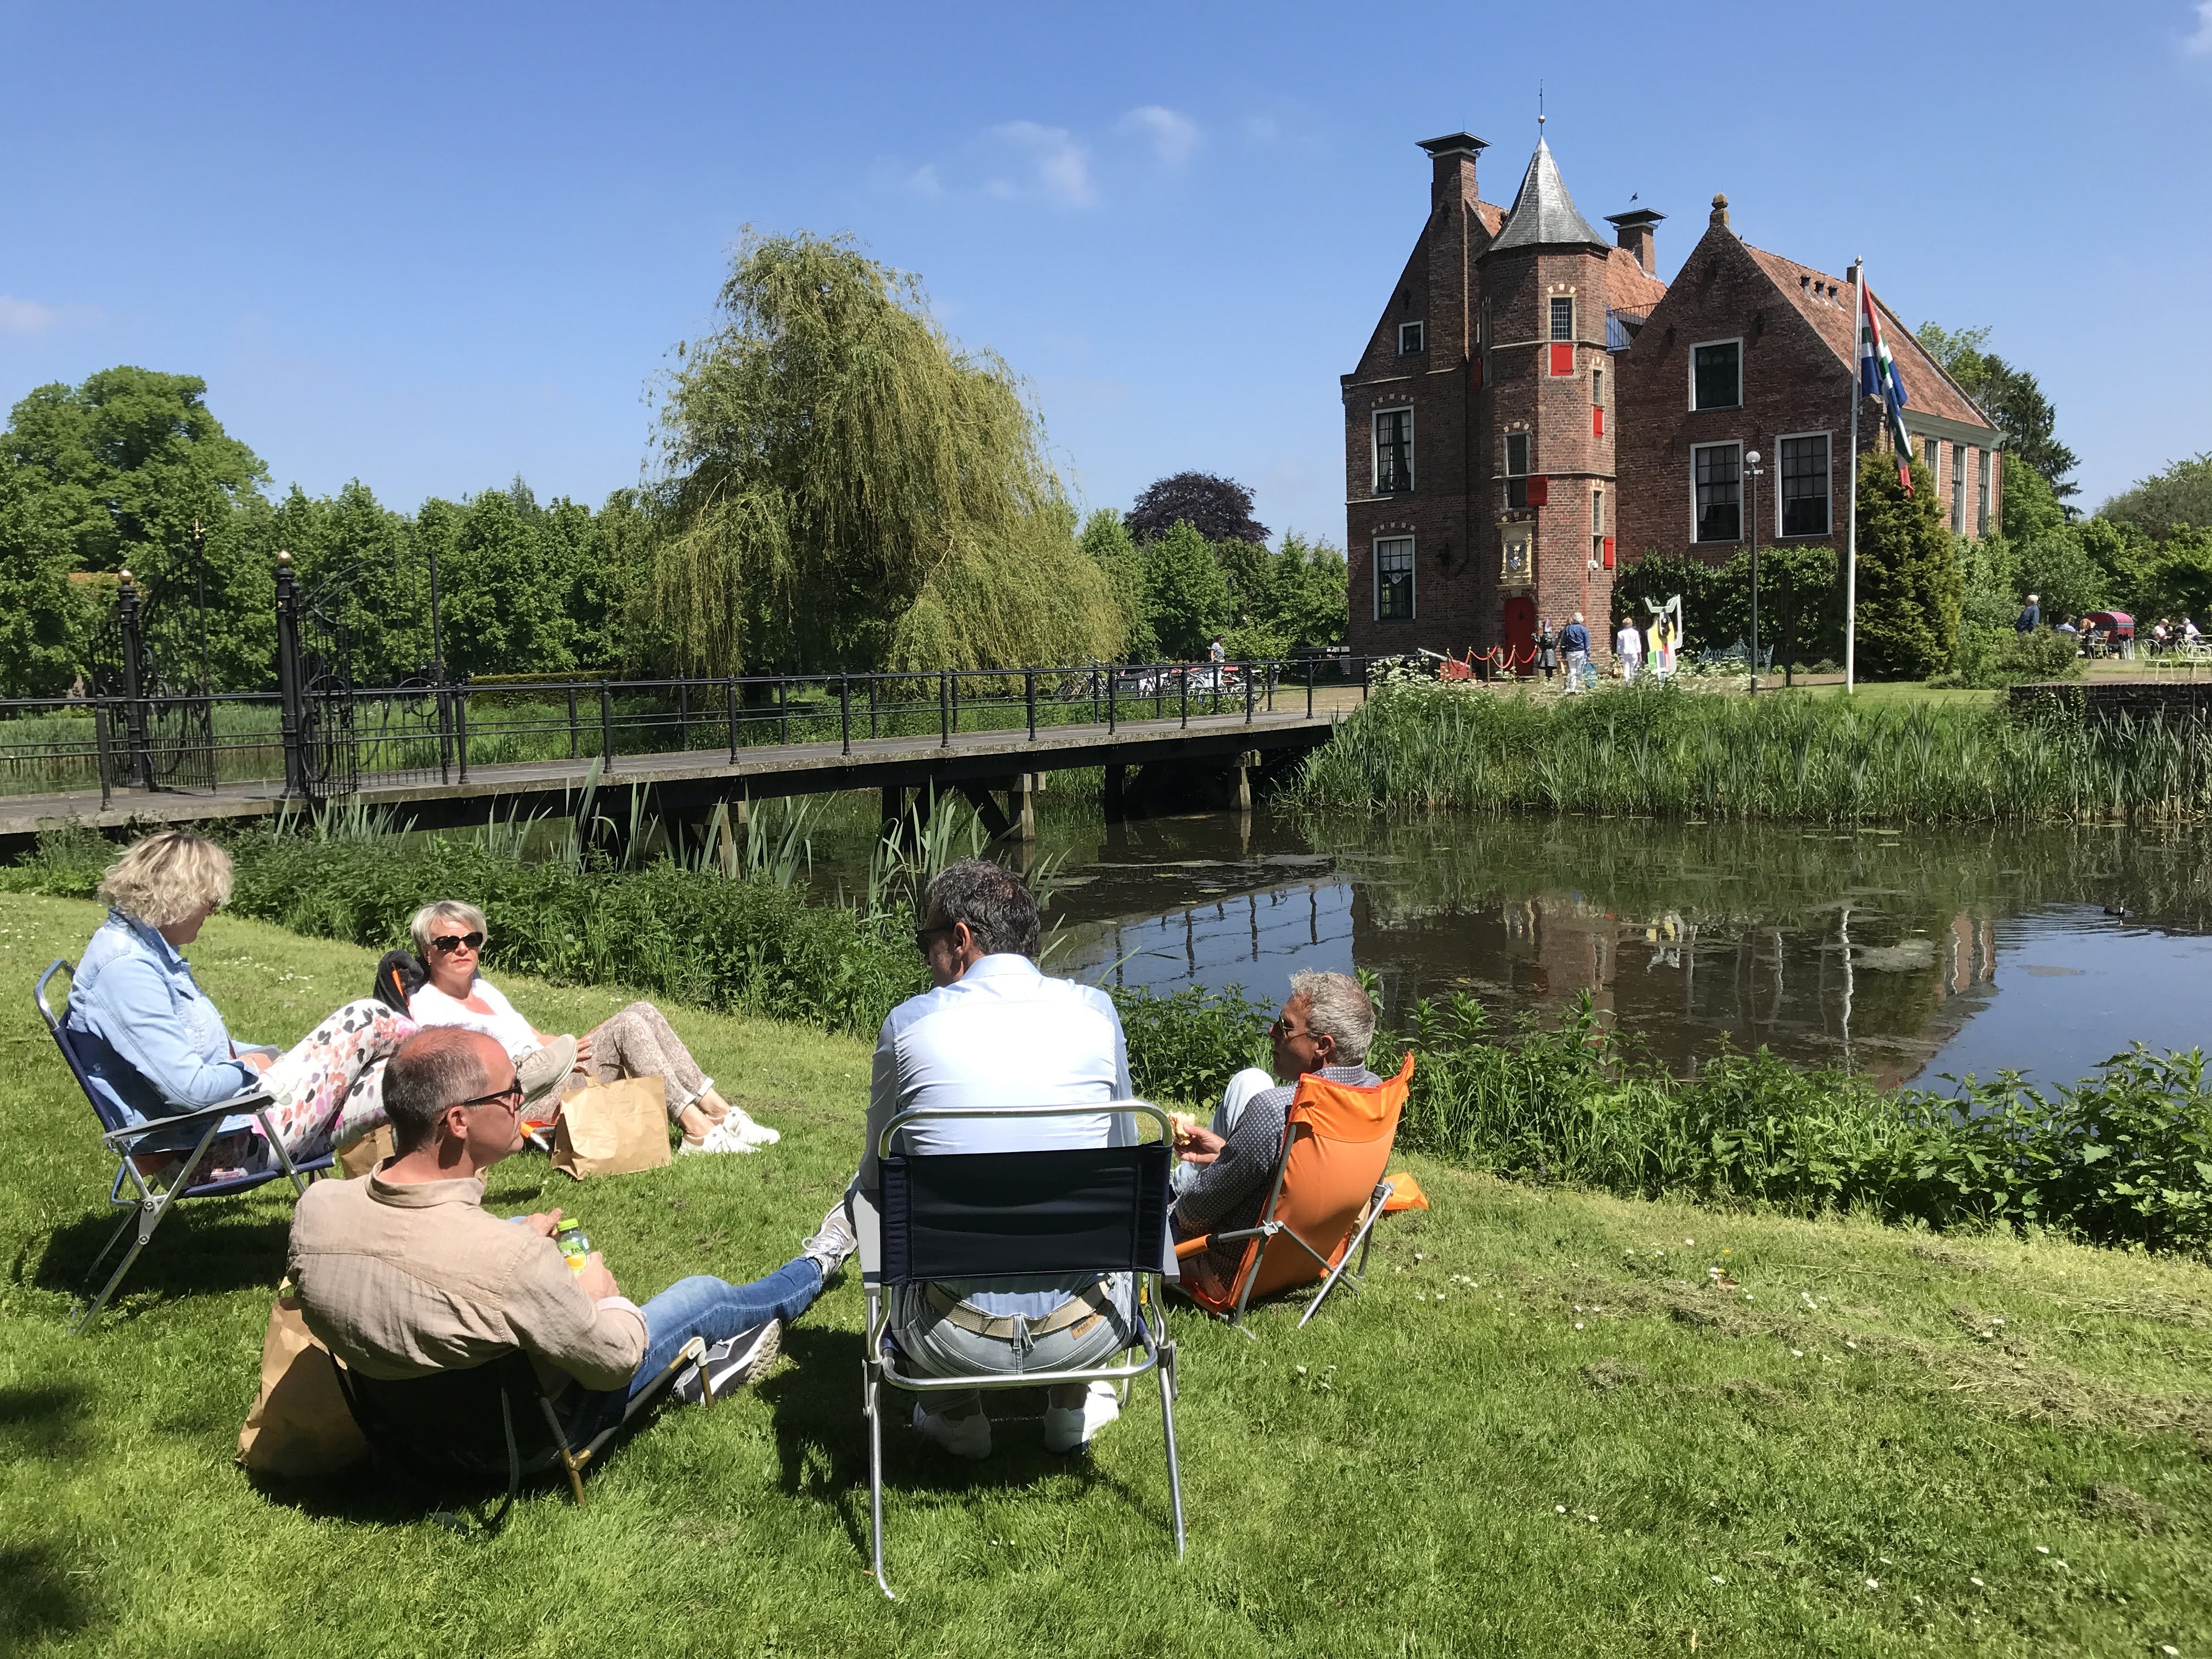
(1910, 581)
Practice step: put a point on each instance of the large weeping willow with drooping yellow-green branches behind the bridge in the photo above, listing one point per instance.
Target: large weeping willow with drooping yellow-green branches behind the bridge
(846, 488)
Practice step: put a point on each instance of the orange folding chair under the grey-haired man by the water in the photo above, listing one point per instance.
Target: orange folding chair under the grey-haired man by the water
(1326, 1198)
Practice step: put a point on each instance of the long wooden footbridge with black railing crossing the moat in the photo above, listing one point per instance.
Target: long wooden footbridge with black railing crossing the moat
(428, 755)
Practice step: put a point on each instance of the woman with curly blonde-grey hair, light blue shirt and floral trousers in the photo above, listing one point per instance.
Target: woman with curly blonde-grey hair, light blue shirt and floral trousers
(156, 1045)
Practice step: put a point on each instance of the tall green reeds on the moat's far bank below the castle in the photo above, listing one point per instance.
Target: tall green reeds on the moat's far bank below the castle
(1822, 760)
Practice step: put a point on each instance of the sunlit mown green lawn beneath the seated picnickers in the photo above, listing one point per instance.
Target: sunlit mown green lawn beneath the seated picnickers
(1545, 1430)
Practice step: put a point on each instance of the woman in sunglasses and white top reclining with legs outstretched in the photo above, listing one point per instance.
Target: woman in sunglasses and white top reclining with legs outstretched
(636, 1043)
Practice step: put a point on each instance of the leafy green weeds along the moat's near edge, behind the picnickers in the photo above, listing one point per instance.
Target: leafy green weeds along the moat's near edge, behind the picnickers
(2122, 1158)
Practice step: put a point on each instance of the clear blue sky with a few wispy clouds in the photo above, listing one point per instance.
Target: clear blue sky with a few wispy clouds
(444, 247)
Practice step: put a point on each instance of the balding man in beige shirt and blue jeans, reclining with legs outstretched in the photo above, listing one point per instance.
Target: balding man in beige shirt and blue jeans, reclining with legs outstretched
(404, 1273)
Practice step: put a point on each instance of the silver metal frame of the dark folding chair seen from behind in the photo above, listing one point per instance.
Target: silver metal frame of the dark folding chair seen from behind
(1158, 1350)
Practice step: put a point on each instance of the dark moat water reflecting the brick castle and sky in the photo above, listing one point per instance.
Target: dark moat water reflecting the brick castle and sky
(1881, 950)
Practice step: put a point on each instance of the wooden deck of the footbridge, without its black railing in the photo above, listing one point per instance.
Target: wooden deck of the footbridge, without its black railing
(693, 782)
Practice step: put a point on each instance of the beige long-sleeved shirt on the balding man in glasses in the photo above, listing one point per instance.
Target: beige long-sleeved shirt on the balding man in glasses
(404, 1280)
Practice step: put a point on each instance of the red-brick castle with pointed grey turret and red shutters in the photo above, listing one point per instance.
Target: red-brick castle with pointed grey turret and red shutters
(1536, 406)
